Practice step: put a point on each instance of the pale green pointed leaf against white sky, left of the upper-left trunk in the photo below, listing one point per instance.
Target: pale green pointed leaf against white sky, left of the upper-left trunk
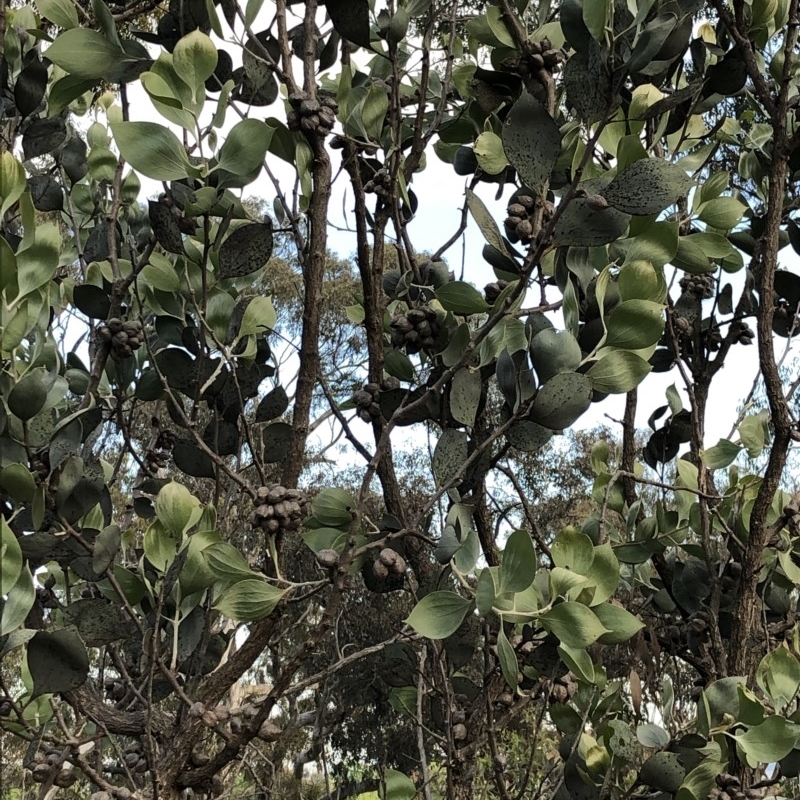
(152, 150)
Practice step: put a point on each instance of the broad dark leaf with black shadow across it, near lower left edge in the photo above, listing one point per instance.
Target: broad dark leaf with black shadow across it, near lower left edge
(58, 662)
